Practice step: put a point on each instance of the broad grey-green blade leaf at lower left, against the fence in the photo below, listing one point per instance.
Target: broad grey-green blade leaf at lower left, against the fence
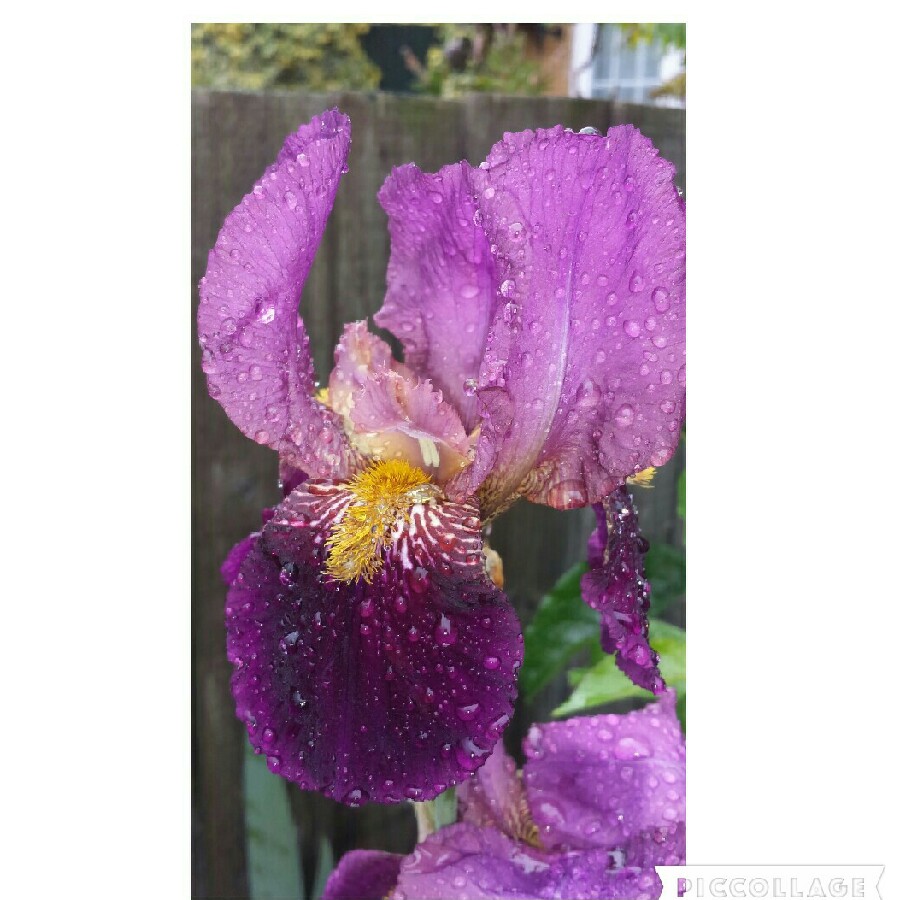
(273, 859)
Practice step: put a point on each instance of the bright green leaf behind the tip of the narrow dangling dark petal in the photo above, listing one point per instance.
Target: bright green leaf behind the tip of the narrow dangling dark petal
(603, 682)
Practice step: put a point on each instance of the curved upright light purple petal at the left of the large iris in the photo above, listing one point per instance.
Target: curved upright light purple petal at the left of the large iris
(255, 349)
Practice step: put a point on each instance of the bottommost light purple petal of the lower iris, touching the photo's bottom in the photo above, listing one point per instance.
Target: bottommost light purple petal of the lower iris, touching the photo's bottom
(484, 864)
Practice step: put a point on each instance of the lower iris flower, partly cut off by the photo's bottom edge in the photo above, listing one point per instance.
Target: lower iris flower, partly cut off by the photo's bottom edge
(598, 804)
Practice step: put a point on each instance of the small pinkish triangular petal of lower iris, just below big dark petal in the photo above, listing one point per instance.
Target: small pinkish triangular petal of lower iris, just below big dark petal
(495, 797)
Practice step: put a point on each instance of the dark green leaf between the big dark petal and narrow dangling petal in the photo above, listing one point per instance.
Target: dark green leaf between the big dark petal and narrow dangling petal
(562, 625)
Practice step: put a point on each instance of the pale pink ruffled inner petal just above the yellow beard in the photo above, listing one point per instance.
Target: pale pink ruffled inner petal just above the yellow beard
(401, 417)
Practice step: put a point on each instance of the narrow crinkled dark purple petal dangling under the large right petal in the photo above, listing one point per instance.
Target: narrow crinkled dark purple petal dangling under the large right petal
(614, 584)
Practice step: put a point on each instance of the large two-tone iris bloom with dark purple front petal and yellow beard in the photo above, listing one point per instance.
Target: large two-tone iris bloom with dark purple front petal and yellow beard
(539, 301)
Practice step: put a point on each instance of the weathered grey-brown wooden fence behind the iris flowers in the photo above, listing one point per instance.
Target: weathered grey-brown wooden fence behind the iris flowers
(234, 137)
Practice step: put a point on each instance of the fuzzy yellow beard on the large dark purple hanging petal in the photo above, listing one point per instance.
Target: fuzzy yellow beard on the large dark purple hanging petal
(383, 495)
